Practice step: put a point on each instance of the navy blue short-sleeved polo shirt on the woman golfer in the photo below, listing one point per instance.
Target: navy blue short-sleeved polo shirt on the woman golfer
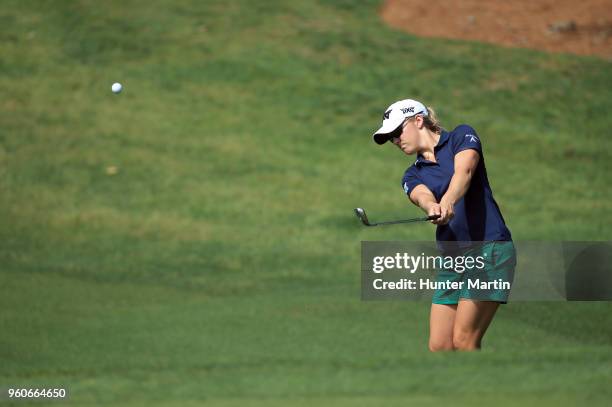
(477, 216)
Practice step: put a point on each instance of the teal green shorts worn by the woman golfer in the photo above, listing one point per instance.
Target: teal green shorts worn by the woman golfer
(488, 277)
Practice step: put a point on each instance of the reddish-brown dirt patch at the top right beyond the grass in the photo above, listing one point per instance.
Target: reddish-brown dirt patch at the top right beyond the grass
(579, 27)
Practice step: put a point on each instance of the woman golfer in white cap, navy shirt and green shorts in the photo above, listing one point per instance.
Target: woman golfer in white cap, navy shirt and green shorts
(449, 179)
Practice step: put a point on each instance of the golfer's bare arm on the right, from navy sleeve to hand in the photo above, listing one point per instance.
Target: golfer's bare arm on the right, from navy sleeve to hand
(466, 162)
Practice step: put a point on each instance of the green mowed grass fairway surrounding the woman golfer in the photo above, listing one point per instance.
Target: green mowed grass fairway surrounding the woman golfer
(192, 239)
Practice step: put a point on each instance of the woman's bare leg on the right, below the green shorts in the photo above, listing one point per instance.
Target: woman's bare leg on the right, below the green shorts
(471, 322)
